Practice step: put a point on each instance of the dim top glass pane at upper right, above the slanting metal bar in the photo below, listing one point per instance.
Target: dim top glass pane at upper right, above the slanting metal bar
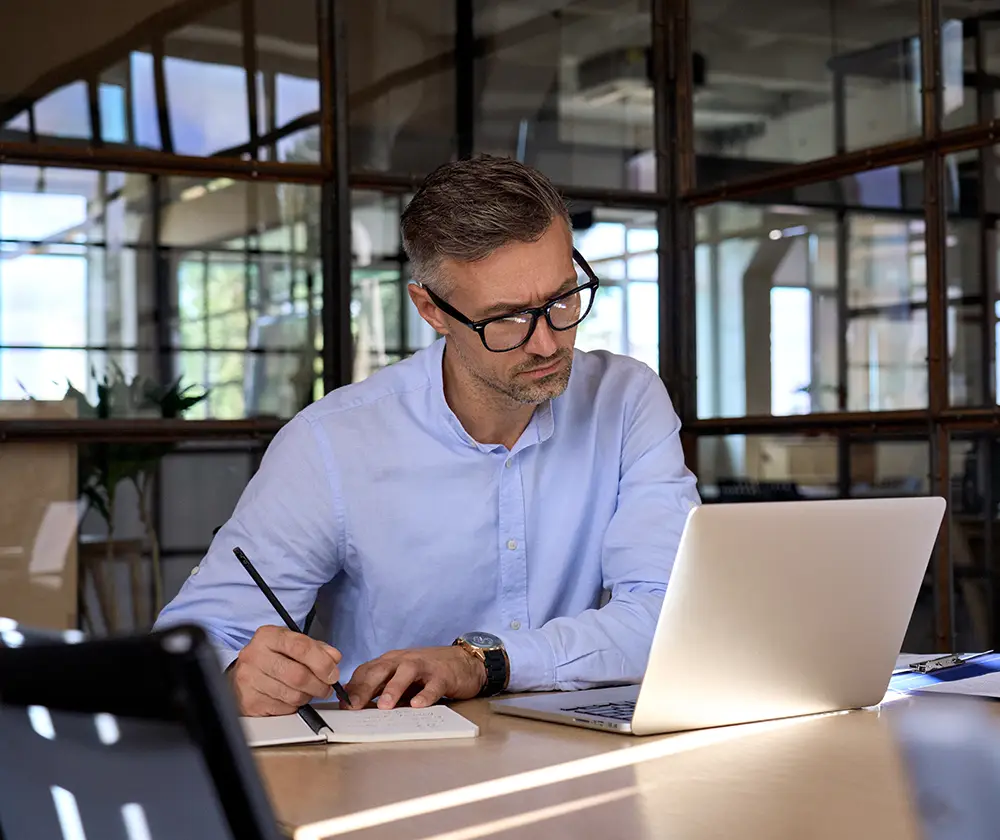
(781, 83)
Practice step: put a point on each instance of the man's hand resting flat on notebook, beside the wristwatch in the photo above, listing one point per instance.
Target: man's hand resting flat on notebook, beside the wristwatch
(437, 672)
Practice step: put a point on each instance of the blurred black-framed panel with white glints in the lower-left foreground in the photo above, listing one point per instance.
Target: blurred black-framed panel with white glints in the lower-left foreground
(123, 738)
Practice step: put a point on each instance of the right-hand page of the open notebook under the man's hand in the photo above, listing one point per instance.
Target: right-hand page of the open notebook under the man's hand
(402, 724)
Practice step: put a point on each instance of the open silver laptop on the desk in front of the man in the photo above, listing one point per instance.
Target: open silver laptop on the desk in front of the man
(773, 610)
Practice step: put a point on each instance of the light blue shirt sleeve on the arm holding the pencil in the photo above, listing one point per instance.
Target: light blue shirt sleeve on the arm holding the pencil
(287, 523)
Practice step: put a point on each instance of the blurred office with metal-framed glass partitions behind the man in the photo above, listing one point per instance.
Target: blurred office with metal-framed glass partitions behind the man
(792, 206)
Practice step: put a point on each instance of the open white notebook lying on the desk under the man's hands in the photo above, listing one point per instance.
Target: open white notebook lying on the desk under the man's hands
(360, 726)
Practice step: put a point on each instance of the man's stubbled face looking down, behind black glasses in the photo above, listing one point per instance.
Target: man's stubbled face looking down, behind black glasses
(515, 277)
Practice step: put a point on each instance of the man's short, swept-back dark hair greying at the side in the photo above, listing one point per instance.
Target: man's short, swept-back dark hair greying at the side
(467, 209)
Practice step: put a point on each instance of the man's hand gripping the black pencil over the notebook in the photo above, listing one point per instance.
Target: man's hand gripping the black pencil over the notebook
(280, 670)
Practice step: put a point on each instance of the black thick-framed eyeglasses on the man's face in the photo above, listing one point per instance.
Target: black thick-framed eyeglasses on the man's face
(503, 333)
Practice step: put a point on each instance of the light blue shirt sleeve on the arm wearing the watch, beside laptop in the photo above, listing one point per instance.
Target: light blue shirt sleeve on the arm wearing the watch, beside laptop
(656, 492)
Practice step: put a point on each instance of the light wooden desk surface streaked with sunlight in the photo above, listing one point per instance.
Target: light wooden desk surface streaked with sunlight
(833, 776)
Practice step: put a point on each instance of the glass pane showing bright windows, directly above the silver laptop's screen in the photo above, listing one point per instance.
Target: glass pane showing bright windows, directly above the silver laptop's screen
(814, 304)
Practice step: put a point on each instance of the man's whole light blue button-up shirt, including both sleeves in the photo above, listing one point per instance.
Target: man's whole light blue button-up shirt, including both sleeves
(377, 505)
